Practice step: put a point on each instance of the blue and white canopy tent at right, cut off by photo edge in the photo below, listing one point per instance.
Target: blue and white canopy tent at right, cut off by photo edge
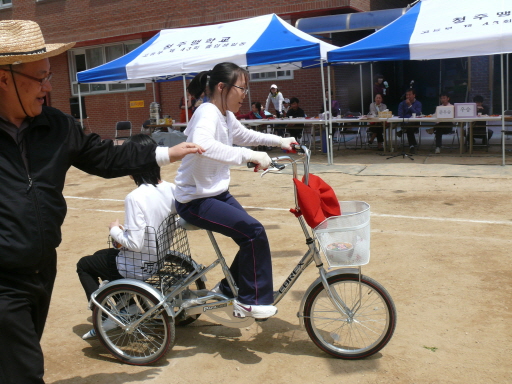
(439, 29)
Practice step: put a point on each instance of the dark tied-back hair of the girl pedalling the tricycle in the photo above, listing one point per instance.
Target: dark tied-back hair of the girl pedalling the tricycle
(206, 81)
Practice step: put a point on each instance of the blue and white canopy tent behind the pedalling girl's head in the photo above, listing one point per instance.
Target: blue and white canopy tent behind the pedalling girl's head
(259, 44)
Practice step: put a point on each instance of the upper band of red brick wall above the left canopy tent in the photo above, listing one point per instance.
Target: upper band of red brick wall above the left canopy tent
(73, 18)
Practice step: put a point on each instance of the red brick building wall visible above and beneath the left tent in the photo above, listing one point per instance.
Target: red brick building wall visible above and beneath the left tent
(95, 22)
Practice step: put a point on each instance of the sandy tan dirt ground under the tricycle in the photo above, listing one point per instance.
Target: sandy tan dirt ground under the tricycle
(440, 246)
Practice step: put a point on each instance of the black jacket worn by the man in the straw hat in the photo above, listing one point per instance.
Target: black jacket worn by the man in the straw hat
(32, 207)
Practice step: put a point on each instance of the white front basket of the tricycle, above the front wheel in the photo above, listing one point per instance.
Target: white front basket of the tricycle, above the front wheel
(345, 239)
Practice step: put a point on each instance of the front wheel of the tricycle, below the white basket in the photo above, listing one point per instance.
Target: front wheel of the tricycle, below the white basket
(362, 332)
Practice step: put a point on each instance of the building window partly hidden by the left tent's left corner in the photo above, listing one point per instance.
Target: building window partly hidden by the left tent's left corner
(84, 58)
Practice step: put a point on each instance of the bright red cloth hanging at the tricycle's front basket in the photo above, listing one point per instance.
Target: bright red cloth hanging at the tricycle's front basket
(317, 201)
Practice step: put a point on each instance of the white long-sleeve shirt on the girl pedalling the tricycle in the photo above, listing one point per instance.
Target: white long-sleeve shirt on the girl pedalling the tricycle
(208, 174)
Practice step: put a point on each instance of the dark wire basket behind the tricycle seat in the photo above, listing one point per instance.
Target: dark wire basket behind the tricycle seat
(167, 260)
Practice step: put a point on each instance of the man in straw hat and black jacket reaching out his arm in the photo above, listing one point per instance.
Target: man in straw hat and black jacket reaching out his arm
(38, 145)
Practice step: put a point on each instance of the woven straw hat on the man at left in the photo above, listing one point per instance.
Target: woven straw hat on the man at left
(21, 41)
